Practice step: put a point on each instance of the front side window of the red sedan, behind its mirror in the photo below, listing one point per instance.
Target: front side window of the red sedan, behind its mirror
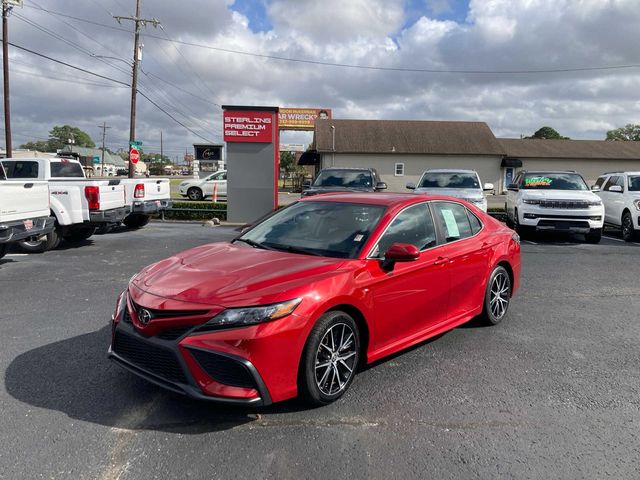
(413, 225)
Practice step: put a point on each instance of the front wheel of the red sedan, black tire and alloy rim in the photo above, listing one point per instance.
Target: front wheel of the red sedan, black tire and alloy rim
(324, 376)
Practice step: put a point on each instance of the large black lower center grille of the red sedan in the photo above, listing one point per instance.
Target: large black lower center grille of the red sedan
(156, 360)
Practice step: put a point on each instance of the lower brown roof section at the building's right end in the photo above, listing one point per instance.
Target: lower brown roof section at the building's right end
(578, 149)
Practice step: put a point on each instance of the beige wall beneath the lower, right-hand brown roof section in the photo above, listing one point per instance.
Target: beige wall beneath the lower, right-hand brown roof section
(589, 169)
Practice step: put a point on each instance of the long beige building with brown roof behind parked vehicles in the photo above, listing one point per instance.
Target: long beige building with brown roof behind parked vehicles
(401, 150)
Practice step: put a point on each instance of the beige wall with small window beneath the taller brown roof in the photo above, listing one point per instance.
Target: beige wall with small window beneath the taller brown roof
(487, 167)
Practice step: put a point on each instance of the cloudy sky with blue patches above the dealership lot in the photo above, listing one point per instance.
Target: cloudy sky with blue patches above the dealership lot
(515, 64)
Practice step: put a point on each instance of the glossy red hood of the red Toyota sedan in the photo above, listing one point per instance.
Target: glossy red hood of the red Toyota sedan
(226, 274)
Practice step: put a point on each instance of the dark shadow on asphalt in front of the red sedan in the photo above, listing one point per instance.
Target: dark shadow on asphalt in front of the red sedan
(75, 377)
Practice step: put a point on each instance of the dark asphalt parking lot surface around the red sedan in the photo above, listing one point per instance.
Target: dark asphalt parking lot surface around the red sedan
(552, 392)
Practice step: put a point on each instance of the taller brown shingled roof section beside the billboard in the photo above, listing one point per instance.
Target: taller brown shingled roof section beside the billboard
(406, 136)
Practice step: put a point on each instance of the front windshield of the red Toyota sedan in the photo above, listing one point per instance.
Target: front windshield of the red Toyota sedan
(328, 229)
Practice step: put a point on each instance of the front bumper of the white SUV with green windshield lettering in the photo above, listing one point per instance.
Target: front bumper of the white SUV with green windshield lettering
(562, 220)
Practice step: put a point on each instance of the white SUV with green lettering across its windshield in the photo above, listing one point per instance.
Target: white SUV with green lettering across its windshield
(554, 201)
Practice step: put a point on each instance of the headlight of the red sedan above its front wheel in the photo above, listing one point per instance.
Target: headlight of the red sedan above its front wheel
(239, 317)
